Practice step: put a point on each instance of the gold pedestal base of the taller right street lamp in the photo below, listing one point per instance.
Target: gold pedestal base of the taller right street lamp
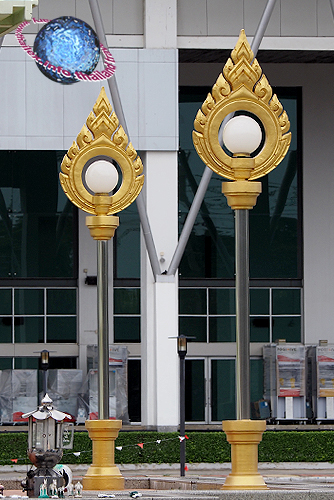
(244, 437)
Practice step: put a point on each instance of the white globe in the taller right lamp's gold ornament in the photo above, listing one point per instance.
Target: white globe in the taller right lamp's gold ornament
(242, 135)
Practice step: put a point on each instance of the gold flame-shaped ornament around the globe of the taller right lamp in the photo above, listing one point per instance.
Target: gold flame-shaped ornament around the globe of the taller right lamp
(242, 87)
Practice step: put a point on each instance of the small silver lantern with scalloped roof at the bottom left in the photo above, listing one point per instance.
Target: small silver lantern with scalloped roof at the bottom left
(45, 446)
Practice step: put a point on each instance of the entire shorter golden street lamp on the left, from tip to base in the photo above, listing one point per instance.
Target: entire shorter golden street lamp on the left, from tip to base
(89, 178)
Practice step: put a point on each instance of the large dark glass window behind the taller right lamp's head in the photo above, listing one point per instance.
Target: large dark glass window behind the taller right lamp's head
(275, 250)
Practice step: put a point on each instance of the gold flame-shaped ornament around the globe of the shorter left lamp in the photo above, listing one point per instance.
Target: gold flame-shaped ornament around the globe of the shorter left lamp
(101, 136)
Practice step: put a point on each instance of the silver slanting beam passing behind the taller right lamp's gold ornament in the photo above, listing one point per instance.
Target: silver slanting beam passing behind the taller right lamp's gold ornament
(198, 199)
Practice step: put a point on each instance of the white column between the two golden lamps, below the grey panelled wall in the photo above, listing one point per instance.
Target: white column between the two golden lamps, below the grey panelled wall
(160, 366)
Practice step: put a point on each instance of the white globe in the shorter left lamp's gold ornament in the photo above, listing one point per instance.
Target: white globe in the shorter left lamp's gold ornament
(101, 176)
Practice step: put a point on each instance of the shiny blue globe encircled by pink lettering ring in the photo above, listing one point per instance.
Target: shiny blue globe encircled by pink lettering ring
(66, 46)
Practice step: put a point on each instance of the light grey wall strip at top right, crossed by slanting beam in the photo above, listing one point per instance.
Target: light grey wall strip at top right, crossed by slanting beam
(227, 17)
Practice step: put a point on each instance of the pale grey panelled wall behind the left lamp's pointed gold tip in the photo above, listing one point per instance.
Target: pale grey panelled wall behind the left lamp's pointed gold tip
(40, 114)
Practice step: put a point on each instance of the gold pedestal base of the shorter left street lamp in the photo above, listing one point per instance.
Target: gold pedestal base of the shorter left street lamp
(103, 474)
